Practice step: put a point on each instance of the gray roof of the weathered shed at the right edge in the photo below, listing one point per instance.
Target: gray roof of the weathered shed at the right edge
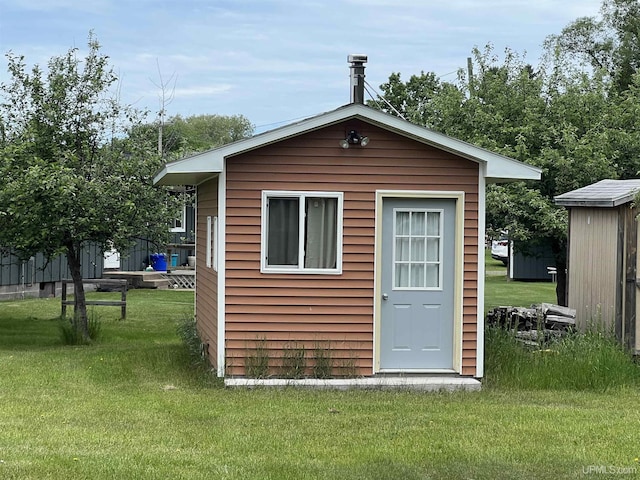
(605, 193)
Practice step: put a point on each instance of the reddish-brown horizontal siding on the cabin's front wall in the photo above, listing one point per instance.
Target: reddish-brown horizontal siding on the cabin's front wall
(333, 308)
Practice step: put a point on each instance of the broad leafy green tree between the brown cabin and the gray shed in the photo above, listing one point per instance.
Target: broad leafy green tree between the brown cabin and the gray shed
(564, 123)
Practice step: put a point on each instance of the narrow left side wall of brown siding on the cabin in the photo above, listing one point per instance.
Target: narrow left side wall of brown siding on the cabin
(206, 278)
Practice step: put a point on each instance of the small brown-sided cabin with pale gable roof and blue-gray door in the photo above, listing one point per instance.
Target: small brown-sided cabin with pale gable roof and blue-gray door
(355, 232)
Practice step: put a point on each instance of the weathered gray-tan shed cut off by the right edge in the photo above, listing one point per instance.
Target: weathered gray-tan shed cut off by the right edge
(602, 256)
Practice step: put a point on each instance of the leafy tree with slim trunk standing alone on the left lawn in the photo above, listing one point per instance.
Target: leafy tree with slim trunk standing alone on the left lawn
(72, 170)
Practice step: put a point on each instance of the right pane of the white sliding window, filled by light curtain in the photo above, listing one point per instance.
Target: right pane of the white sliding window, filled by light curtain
(321, 243)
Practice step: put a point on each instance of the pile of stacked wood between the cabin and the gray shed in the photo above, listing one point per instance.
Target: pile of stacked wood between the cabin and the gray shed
(546, 319)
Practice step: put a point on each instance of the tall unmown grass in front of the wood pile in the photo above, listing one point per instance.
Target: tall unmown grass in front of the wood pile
(592, 360)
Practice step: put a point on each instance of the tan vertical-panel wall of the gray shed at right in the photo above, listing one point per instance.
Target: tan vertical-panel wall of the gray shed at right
(592, 272)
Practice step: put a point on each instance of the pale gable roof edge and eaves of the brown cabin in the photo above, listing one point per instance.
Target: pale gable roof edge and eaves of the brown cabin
(198, 168)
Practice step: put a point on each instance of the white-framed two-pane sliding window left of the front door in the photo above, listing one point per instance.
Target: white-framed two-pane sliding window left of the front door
(301, 232)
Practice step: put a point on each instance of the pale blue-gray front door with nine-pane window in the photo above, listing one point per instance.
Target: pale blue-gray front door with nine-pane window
(417, 284)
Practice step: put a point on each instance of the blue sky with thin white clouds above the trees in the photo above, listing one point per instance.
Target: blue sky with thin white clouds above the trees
(275, 61)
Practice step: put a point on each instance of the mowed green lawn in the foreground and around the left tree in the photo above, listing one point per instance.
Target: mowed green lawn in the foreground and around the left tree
(133, 406)
